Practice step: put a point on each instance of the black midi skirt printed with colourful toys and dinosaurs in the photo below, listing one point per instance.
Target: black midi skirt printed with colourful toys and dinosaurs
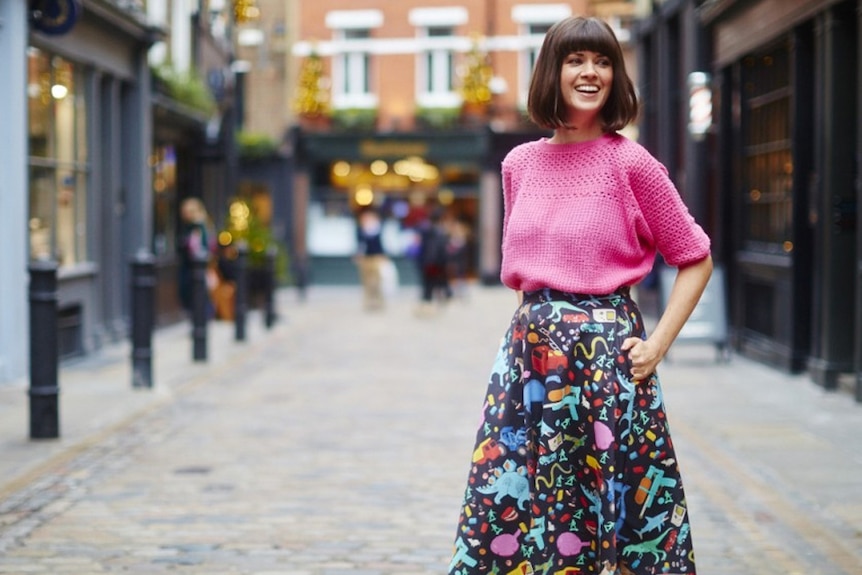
(574, 471)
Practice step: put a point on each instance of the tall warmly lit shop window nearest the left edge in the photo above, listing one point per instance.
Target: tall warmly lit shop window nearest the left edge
(58, 159)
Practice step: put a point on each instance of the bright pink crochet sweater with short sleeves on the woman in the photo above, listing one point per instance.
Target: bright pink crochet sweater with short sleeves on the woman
(588, 217)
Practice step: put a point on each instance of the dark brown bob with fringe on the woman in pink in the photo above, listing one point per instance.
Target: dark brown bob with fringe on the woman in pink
(576, 34)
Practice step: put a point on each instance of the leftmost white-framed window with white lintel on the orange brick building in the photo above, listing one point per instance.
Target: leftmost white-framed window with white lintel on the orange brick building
(351, 58)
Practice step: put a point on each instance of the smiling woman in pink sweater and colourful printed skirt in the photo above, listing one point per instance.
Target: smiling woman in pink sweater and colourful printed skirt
(574, 469)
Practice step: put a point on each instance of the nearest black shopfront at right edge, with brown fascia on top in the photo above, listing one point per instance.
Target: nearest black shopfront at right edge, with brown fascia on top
(788, 76)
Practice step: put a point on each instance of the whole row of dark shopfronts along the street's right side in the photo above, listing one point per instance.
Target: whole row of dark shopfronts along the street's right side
(775, 180)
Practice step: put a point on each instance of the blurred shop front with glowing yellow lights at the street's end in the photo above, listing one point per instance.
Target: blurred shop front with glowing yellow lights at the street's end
(405, 177)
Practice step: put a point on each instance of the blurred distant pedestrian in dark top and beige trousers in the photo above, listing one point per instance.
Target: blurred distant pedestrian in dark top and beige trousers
(370, 257)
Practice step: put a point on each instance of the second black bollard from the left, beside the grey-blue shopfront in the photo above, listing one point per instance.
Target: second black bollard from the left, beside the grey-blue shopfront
(143, 310)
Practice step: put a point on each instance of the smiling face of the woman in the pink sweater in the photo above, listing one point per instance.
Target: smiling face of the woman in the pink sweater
(585, 83)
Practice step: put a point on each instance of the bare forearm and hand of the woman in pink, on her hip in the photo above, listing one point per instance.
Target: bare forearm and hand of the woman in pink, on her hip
(646, 354)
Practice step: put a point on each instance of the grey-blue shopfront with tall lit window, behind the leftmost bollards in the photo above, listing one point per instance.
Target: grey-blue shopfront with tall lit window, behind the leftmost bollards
(88, 139)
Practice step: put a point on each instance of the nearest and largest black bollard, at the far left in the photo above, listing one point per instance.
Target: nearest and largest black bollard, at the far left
(44, 351)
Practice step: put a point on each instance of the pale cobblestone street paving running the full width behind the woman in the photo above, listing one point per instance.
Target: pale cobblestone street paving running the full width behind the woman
(339, 442)
